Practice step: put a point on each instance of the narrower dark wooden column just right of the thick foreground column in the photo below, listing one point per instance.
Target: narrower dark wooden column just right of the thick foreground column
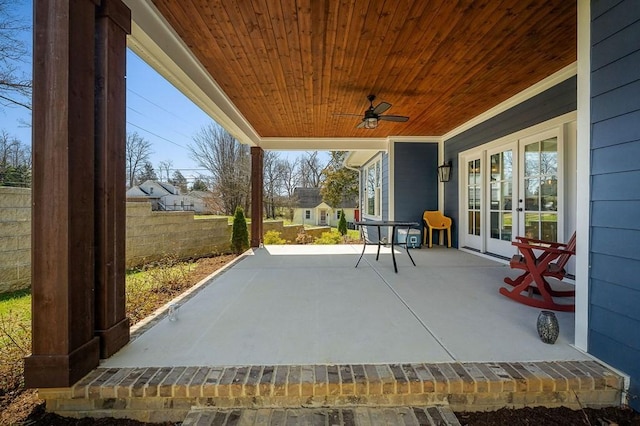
(113, 23)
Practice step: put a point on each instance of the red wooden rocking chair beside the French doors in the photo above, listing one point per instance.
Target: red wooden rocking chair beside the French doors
(549, 263)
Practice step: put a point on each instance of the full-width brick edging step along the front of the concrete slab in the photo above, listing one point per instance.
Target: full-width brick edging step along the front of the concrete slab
(169, 393)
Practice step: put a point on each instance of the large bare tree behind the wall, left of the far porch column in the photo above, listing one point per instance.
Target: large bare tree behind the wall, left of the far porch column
(229, 163)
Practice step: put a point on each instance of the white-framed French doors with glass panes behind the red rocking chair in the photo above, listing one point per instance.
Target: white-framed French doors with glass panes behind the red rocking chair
(512, 189)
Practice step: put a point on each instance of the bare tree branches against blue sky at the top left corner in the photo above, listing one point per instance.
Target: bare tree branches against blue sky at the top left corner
(15, 84)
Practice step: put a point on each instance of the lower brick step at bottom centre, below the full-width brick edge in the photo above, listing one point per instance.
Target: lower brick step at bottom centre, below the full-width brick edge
(359, 416)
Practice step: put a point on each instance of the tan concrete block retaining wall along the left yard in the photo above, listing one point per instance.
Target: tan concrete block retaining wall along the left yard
(151, 235)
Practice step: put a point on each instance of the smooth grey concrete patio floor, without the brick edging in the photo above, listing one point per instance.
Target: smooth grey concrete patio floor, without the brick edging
(303, 305)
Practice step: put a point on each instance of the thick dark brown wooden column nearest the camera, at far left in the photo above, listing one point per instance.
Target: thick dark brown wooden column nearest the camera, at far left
(64, 345)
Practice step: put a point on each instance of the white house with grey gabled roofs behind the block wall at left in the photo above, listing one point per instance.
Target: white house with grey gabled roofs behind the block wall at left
(166, 197)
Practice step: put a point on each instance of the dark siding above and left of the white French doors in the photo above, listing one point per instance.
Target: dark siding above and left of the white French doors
(554, 102)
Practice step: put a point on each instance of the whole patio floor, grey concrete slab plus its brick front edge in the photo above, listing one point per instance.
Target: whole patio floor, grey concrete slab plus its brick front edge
(298, 332)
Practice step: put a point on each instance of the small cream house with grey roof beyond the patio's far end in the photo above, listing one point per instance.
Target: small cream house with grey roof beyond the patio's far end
(310, 209)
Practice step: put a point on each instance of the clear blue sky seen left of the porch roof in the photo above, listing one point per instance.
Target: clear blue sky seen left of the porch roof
(156, 110)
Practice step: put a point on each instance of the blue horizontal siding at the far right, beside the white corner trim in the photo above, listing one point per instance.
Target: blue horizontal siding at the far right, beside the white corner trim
(614, 283)
